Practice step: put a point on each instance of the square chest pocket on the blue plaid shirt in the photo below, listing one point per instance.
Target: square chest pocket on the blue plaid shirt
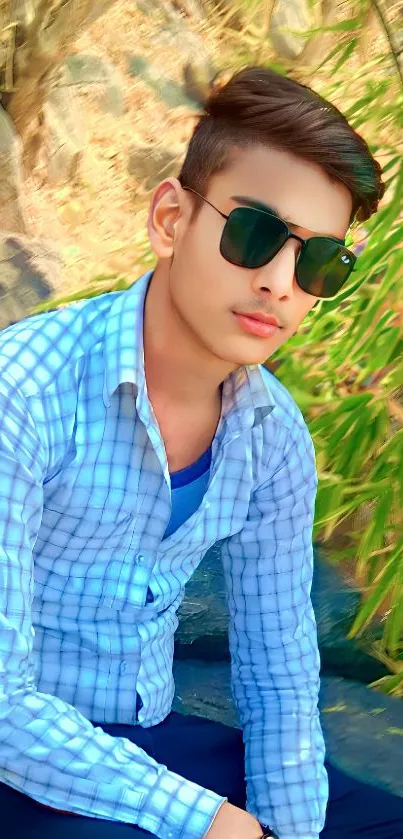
(80, 553)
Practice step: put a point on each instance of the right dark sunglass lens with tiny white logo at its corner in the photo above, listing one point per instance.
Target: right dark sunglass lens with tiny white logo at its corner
(323, 267)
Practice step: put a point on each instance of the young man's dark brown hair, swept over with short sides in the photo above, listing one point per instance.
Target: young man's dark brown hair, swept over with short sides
(258, 106)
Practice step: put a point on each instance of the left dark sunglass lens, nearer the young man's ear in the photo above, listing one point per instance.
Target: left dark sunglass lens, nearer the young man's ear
(251, 238)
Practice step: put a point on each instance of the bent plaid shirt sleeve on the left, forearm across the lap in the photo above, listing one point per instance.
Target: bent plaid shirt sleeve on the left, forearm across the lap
(48, 750)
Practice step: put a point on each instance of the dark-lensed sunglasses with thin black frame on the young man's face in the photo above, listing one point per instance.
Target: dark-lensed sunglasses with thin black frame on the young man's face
(252, 237)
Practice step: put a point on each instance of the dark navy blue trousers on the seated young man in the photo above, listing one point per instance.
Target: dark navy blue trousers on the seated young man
(212, 755)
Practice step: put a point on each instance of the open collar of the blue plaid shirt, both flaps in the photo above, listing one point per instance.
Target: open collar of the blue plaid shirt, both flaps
(247, 398)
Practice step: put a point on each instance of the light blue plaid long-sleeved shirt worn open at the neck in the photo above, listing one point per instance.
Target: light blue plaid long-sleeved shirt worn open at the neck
(89, 588)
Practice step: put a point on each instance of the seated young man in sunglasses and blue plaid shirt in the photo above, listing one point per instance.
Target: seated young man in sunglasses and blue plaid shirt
(138, 429)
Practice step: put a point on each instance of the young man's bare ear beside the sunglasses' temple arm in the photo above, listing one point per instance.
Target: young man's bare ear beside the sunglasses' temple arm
(164, 215)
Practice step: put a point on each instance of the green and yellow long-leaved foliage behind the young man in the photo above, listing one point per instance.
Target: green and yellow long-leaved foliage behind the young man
(345, 365)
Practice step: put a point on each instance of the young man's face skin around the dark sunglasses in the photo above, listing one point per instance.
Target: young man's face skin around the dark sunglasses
(208, 293)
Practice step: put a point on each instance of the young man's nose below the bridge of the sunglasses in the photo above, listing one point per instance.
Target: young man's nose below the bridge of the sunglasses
(277, 278)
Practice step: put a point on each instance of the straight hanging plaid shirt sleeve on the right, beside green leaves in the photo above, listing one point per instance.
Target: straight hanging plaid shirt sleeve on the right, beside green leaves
(274, 649)
